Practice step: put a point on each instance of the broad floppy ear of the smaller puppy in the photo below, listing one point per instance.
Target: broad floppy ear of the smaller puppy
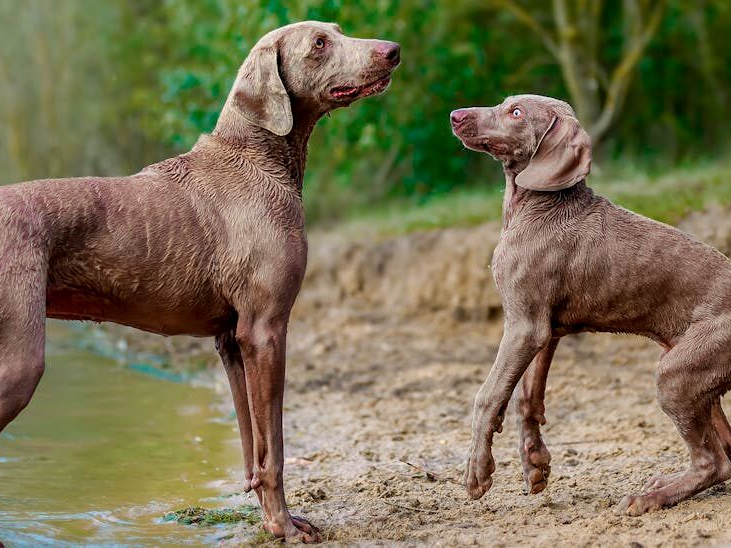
(561, 159)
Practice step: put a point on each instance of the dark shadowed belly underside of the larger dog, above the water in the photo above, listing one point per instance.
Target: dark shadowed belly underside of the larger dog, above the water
(147, 313)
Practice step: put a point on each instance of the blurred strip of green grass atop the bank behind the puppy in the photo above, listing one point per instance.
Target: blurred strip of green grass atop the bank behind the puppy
(666, 197)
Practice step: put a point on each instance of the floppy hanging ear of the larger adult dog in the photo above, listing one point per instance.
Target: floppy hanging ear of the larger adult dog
(260, 95)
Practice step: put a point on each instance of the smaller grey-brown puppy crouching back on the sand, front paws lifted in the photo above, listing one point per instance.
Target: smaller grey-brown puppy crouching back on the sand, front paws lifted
(569, 261)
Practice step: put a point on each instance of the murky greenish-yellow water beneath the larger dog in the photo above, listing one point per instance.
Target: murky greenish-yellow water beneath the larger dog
(103, 452)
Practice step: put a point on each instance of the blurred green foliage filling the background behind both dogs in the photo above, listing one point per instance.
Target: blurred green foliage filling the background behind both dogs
(161, 72)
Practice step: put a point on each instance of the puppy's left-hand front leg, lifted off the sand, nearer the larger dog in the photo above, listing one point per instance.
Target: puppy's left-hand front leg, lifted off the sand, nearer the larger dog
(521, 341)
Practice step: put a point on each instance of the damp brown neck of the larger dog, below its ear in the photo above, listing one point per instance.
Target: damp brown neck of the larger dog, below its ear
(270, 152)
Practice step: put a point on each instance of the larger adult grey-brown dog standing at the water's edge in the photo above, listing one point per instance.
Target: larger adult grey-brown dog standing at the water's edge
(210, 243)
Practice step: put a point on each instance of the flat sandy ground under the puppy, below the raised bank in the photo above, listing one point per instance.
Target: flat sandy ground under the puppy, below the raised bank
(366, 393)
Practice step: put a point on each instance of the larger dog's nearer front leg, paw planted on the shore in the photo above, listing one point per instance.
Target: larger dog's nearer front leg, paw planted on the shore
(262, 344)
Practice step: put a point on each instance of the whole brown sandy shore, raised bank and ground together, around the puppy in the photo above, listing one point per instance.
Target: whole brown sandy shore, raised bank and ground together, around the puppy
(388, 345)
